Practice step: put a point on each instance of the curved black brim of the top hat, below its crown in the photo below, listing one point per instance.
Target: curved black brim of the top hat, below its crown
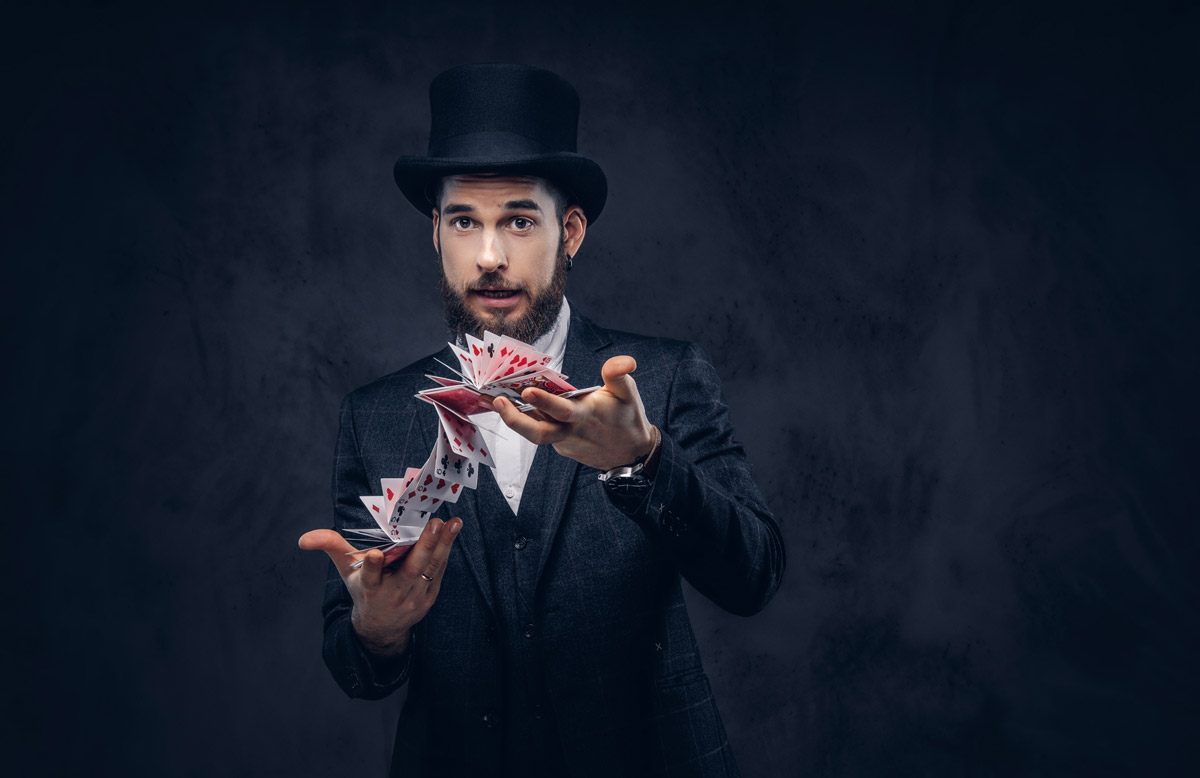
(579, 177)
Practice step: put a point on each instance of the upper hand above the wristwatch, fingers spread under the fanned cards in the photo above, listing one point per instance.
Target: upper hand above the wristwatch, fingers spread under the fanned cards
(604, 429)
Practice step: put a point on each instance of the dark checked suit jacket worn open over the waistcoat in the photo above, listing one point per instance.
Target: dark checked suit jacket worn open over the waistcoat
(621, 671)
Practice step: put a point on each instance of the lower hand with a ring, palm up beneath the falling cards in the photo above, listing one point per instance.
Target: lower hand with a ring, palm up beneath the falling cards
(388, 603)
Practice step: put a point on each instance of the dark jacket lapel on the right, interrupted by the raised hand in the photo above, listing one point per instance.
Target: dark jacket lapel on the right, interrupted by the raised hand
(553, 475)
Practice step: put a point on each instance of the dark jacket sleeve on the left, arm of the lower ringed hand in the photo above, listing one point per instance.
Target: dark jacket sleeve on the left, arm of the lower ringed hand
(358, 673)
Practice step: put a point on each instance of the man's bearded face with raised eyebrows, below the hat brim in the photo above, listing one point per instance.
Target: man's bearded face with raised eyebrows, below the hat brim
(503, 255)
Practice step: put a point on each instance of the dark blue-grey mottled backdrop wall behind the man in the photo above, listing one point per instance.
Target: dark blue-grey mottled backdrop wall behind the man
(945, 260)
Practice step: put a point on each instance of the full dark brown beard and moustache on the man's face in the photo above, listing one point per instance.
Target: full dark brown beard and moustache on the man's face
(539, 315)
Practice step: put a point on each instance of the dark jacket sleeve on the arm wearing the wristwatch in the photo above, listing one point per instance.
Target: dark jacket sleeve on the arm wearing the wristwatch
(705, 507)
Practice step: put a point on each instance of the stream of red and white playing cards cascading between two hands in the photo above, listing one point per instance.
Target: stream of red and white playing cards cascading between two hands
(494, 367)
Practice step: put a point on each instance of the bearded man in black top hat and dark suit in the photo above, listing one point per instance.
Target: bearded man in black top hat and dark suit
(541, 627)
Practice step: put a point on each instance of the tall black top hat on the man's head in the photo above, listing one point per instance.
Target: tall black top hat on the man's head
(503, 119)
